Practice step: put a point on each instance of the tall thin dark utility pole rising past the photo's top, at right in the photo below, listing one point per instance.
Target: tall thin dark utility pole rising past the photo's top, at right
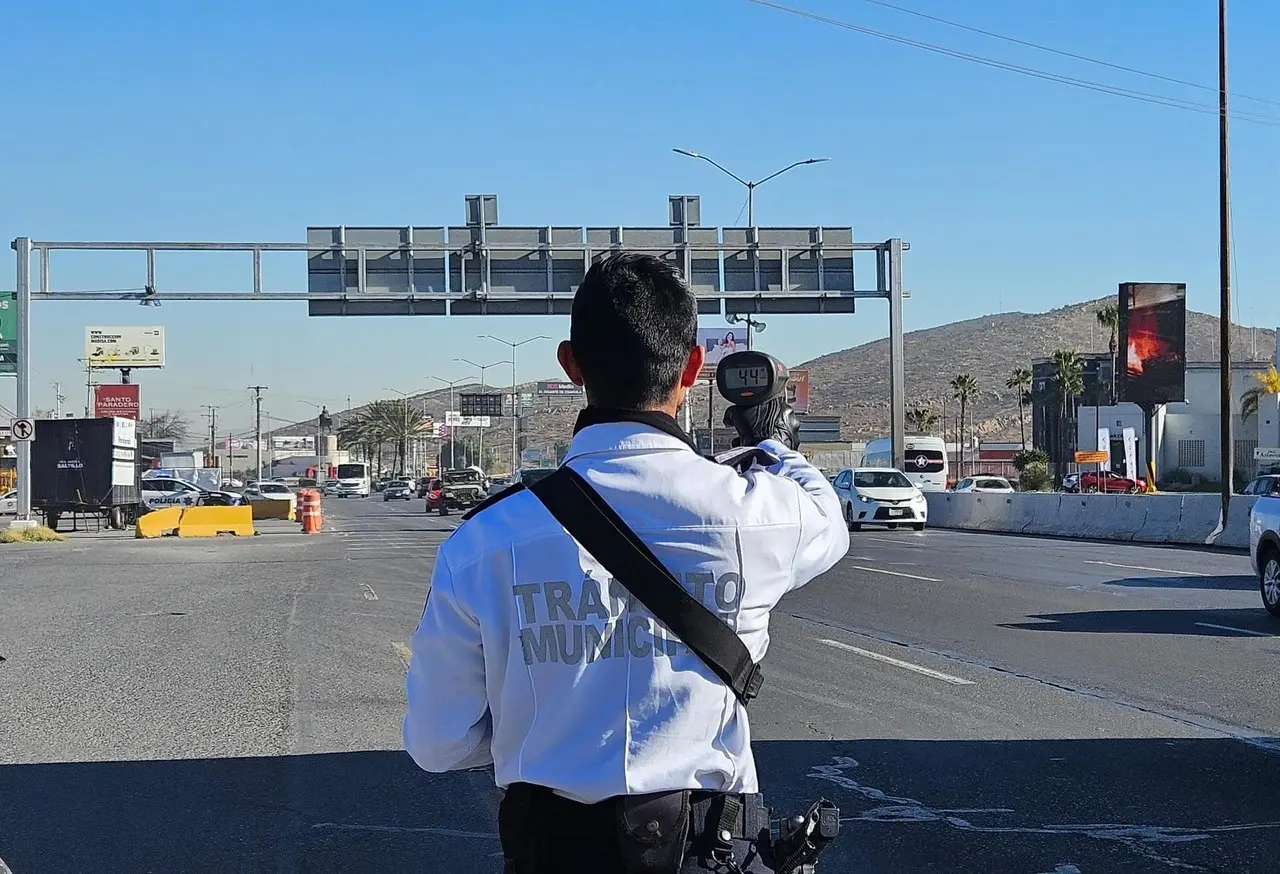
(1224, 257)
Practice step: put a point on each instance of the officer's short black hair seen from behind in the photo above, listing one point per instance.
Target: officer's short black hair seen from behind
(633, 327)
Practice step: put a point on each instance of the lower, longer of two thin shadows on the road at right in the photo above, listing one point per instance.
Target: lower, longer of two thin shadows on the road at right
(1199, 623)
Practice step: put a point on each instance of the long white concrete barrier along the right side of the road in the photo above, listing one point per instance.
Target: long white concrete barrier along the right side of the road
(1174, 519)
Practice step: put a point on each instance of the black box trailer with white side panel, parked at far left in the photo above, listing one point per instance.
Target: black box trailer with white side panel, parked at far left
(86, 466)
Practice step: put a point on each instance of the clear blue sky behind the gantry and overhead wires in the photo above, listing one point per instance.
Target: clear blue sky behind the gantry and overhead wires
(134, 121)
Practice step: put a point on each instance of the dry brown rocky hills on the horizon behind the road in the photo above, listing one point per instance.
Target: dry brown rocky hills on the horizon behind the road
(854, 383)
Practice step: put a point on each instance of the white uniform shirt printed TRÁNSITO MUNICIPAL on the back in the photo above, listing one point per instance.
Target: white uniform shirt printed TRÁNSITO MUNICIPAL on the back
(529, 657)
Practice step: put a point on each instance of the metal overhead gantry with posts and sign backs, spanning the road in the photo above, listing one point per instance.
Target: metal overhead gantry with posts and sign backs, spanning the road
(490, 271)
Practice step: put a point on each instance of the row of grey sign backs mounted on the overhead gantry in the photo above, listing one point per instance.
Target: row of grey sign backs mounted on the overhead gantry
(487, 269)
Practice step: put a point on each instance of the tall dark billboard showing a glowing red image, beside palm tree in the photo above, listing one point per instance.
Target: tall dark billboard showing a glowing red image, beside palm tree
(1153, 344)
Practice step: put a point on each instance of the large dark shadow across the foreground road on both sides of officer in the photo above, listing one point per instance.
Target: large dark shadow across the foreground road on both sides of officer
(1018, 807)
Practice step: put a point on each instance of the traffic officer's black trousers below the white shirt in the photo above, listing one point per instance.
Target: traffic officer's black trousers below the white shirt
(546, 834)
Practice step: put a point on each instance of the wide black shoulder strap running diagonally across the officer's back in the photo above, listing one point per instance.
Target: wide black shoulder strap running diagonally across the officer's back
(602, 533)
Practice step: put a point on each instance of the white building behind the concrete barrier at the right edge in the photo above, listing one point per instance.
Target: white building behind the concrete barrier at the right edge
(1187, 434)
